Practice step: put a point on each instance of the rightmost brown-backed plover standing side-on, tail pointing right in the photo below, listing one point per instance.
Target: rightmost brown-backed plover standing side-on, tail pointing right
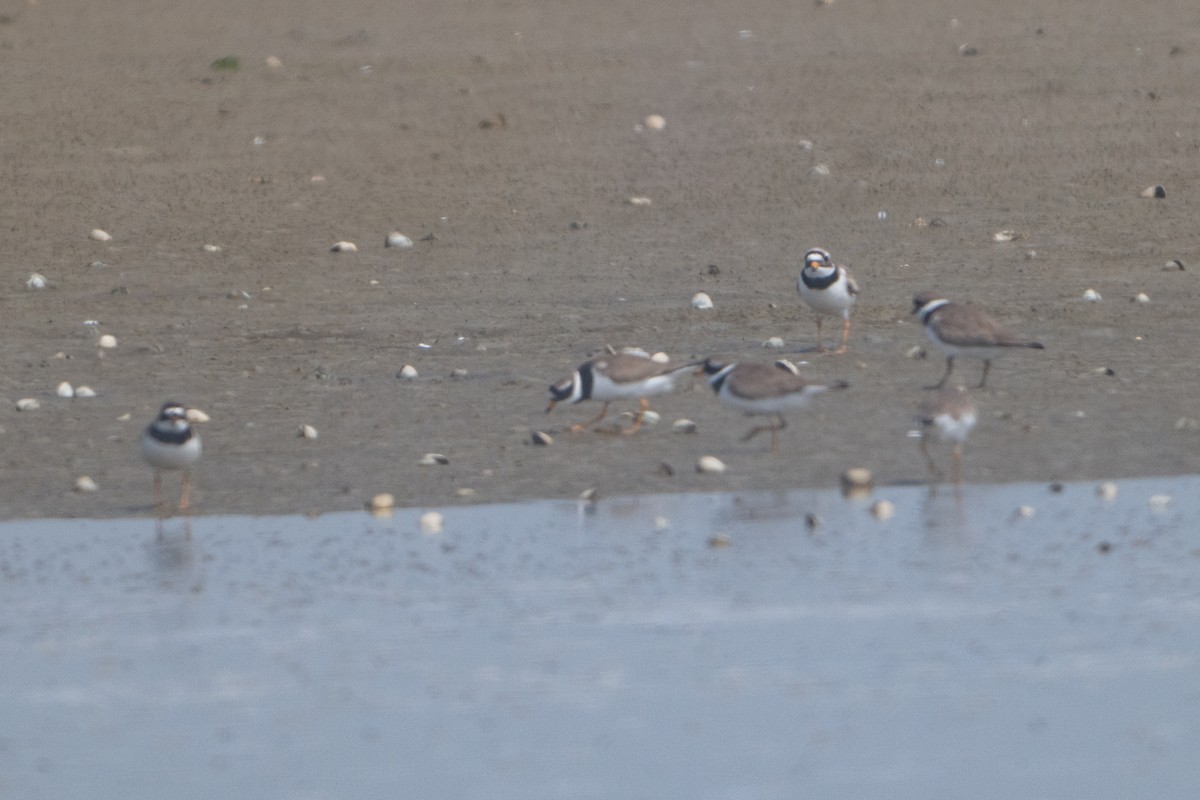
(963, 329)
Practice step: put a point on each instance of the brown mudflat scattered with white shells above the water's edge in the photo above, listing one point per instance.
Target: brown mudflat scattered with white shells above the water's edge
(505, 140)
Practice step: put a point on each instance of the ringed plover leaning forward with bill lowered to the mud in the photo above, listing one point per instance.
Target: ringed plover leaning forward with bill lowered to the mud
(622, 376)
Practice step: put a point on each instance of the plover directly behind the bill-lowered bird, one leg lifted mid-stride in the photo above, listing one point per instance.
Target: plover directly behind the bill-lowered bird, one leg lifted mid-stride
(764, 389)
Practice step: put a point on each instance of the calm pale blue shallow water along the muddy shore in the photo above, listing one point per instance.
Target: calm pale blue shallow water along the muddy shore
(671, 646)
